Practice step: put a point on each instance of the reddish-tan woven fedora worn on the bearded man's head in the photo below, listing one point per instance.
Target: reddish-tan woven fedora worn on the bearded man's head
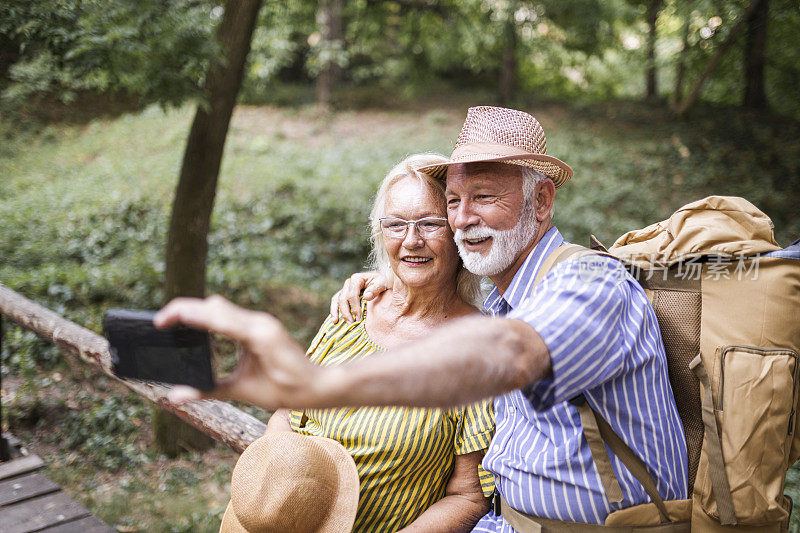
(505, 136)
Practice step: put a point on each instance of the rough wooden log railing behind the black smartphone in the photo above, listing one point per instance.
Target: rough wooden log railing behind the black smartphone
(219, 420)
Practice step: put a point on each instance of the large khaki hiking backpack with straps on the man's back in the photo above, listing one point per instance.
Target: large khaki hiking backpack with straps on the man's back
(730, 321)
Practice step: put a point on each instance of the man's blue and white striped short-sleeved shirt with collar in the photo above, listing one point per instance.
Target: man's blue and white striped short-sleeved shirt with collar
(604, 342)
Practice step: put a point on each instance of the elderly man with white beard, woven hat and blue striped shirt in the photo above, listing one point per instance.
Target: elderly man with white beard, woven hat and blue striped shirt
(577, 333)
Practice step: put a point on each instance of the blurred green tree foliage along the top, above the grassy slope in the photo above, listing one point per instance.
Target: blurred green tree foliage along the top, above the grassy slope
(586, 50)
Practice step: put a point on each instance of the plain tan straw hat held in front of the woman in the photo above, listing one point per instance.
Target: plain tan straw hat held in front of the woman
(287, 482)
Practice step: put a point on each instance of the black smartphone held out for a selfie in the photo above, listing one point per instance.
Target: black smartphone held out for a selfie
(178, 356)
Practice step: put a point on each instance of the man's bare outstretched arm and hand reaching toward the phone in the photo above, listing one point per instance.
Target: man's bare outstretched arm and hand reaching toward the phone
(463, 361)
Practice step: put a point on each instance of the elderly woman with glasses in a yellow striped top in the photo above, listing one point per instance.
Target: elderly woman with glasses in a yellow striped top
(419, 468)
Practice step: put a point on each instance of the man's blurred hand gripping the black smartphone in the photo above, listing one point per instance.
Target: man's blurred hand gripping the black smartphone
(272, 370)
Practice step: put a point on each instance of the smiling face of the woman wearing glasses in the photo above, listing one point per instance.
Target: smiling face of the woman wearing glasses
(416, 260)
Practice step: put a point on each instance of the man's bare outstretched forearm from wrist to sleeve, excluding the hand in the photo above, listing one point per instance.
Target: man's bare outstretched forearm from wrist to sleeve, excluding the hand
(464, 361)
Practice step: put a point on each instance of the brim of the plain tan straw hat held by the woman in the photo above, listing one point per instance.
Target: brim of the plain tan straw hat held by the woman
(342, 514)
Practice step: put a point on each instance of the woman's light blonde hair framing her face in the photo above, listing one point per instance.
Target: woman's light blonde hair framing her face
(468, 285)
